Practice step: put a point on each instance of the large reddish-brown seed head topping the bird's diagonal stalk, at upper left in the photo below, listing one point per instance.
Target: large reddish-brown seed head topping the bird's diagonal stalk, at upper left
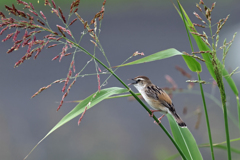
(35, 46)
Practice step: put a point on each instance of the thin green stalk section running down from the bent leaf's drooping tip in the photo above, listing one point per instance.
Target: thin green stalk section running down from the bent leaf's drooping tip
(207, 120)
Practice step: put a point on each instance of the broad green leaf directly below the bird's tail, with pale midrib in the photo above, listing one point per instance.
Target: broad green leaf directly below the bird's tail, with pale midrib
(185, 140)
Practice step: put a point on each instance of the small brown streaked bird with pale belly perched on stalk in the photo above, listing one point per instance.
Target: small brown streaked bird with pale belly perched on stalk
(157, 98)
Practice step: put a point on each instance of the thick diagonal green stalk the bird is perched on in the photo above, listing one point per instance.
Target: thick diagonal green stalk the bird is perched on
(136, 97)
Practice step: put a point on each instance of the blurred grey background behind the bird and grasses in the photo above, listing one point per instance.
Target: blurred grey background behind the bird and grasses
(116, 129)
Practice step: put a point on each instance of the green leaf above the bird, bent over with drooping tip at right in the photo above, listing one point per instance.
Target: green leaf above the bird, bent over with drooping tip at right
(192, 63)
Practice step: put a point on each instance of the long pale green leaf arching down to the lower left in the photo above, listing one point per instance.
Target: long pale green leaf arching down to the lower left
(99, 96)
